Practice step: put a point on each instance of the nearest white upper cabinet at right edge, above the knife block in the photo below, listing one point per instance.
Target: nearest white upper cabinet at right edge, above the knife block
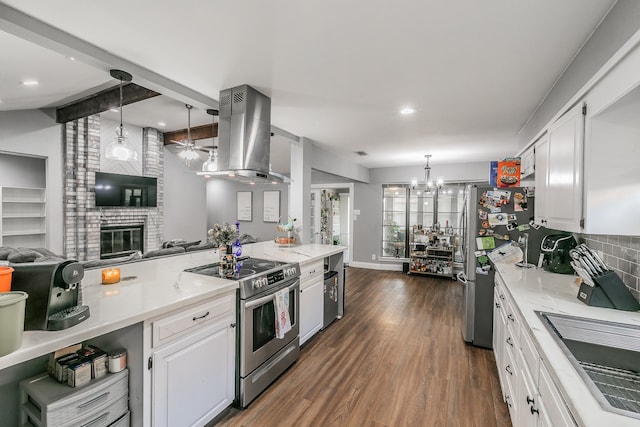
(612, 151)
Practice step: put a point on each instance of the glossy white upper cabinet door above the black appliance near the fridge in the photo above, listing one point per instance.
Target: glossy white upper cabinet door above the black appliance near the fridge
(564, 179)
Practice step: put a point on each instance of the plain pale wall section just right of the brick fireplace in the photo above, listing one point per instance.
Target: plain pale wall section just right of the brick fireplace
(185, 201)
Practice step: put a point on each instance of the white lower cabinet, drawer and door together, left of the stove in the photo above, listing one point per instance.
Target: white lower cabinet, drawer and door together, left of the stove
(192, 363)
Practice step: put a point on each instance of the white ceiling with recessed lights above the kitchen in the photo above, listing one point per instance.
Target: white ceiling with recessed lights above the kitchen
(336, 72)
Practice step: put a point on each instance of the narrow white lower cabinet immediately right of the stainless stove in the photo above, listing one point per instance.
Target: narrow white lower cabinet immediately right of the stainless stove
(311, 299)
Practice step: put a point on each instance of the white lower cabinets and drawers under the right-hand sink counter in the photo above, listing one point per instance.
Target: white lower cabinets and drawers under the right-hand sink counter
(527, 388)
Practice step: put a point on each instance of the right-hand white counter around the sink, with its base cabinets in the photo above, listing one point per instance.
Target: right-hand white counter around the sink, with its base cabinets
(530, 290)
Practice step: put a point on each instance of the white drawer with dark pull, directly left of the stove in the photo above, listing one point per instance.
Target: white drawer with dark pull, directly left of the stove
(173, 326)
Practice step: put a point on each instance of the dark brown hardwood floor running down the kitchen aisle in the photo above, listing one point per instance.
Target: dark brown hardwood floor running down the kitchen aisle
(396, 358)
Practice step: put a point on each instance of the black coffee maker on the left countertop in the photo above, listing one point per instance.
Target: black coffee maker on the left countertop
(54, 301)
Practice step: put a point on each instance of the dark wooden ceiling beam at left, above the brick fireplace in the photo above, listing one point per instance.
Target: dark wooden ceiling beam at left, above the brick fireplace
(103, 101)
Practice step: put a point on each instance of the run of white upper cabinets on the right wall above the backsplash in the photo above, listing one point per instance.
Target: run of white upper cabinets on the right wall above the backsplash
(587, 171)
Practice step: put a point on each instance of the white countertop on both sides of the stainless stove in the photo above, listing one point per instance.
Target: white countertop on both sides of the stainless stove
(148, 289)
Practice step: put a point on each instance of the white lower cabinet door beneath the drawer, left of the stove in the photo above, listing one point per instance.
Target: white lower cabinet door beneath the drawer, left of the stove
(193, 377)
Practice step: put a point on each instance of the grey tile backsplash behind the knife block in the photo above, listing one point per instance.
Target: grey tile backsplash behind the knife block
(621, 254)
